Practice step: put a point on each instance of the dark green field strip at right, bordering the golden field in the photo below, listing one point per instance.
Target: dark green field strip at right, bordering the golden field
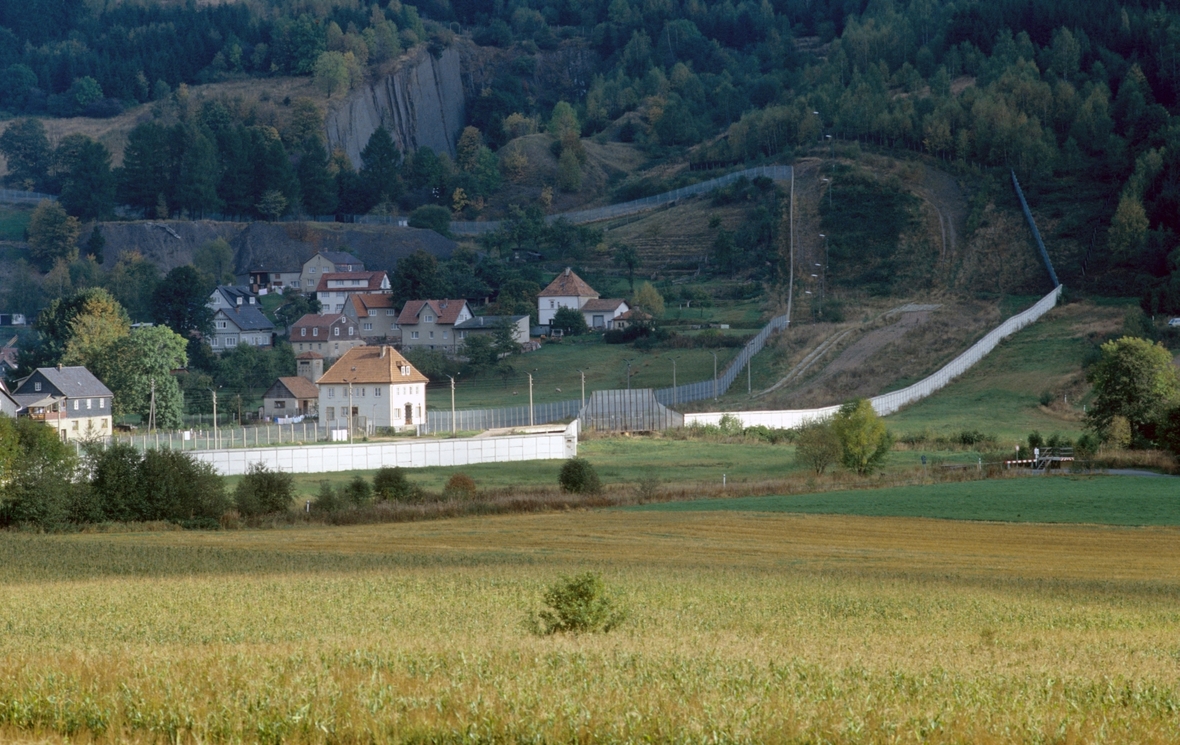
(1104, 500)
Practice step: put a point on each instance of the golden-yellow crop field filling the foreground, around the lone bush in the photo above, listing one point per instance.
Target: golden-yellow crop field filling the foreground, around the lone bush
(743, 626)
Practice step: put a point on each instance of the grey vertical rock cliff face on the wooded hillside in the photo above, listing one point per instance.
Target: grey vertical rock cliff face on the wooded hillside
(421, 103)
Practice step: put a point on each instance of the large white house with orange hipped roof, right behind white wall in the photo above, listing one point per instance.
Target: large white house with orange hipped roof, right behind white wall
(381, 387)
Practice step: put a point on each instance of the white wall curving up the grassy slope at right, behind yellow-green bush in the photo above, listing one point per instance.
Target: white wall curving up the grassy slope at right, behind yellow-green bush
(890, 403)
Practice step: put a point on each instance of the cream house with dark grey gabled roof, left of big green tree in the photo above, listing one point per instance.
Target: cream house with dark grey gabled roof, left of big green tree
(70, 400)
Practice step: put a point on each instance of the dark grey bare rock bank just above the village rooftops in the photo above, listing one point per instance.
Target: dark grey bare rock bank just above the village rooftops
(277, 246)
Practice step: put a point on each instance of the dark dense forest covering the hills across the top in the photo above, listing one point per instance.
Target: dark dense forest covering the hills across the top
(1061, 93)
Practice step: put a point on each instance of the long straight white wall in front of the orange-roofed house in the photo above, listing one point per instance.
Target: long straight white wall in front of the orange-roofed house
(414, 454)
